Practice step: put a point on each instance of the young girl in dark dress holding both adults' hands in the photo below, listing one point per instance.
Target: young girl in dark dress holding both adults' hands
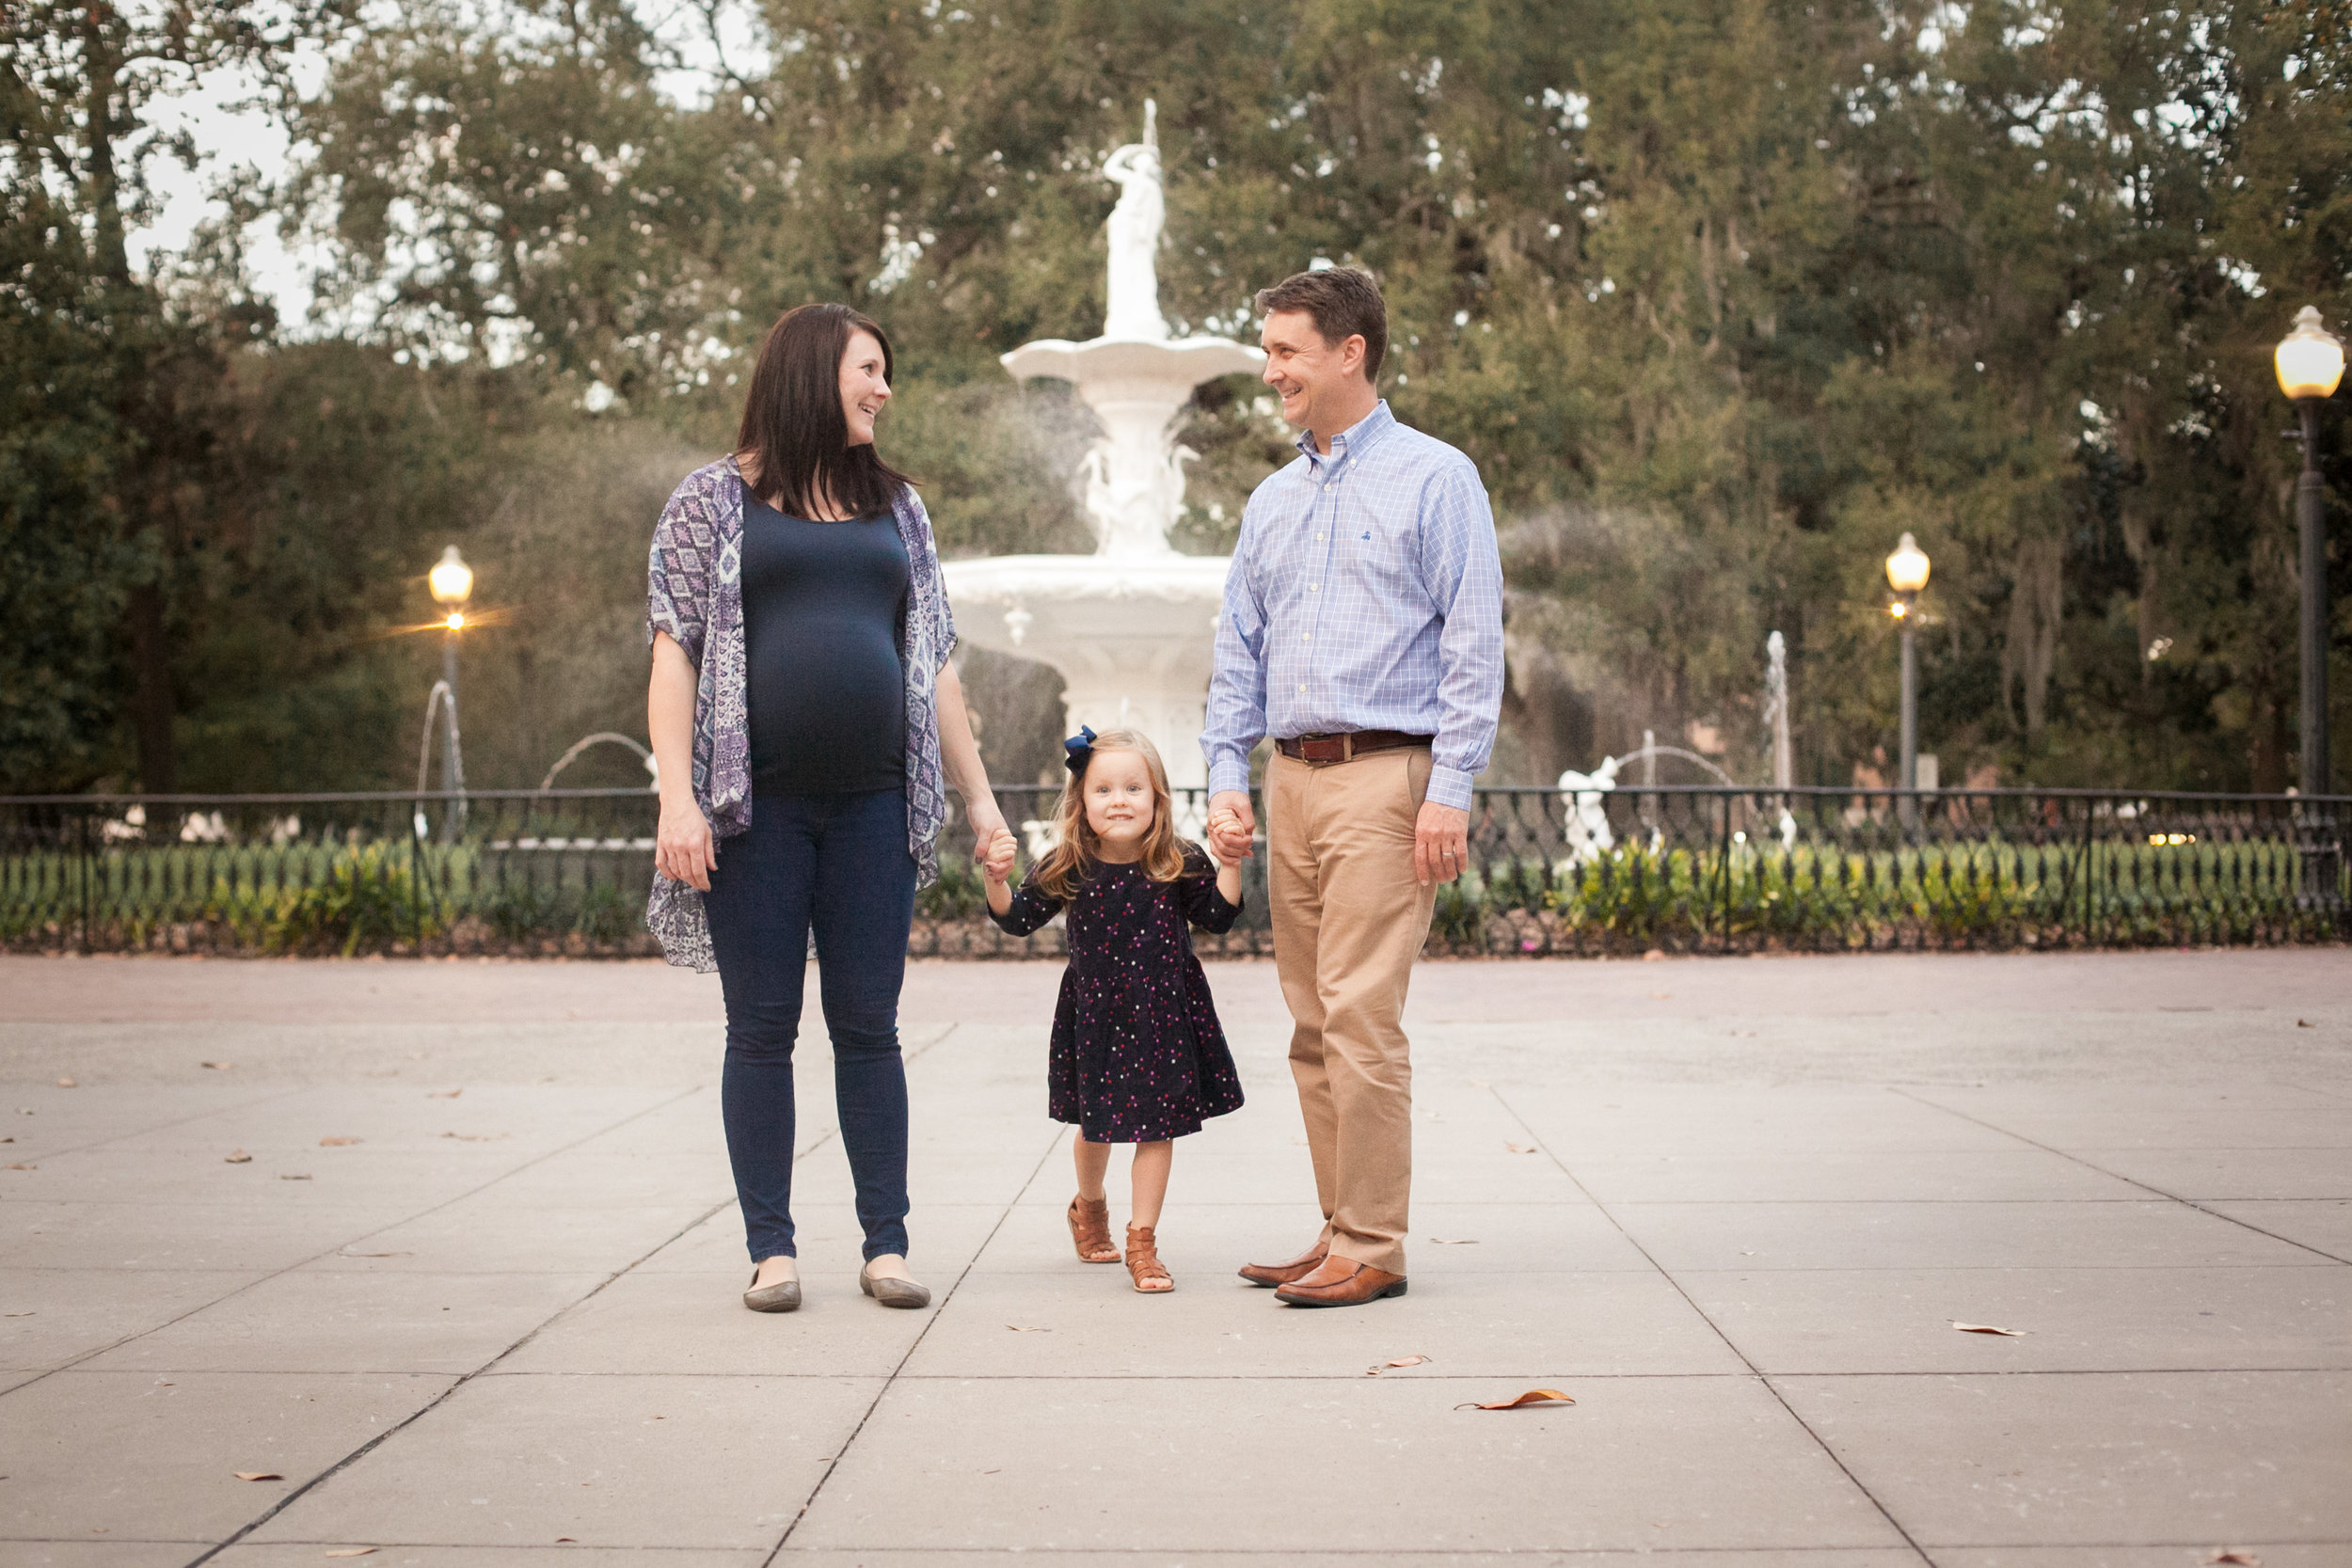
(1137, 1050)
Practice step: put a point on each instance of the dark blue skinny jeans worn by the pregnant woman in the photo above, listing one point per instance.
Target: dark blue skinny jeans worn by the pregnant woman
(836, 864)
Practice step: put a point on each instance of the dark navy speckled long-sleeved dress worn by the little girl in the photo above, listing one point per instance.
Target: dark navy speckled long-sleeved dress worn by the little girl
(1137, 1050)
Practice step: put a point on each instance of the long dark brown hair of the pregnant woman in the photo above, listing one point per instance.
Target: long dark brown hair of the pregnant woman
(794, 429)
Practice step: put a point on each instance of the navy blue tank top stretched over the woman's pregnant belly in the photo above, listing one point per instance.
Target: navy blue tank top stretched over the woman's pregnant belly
(824, 605)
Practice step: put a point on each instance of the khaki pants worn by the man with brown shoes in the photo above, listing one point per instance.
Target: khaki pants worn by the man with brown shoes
(1349, 925)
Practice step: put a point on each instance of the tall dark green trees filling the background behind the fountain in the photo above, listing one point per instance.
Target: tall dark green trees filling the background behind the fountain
(1723, 297)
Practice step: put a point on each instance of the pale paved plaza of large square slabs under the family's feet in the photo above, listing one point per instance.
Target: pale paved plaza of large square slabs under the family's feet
(474, 1294)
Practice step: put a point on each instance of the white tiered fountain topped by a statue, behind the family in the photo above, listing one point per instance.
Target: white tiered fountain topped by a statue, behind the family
(1130, 626)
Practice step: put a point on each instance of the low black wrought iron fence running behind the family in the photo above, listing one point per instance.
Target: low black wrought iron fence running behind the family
(1598, 873)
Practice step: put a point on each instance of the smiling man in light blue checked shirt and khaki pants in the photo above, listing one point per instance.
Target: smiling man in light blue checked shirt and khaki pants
(1363, 629)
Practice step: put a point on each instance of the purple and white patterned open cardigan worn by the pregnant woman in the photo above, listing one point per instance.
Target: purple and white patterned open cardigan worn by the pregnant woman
(695, 594)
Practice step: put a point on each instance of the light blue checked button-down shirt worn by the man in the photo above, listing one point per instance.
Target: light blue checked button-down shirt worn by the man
(1365, 594)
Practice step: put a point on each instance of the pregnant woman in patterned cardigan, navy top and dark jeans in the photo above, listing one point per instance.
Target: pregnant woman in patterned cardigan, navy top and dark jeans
(803, 716)
